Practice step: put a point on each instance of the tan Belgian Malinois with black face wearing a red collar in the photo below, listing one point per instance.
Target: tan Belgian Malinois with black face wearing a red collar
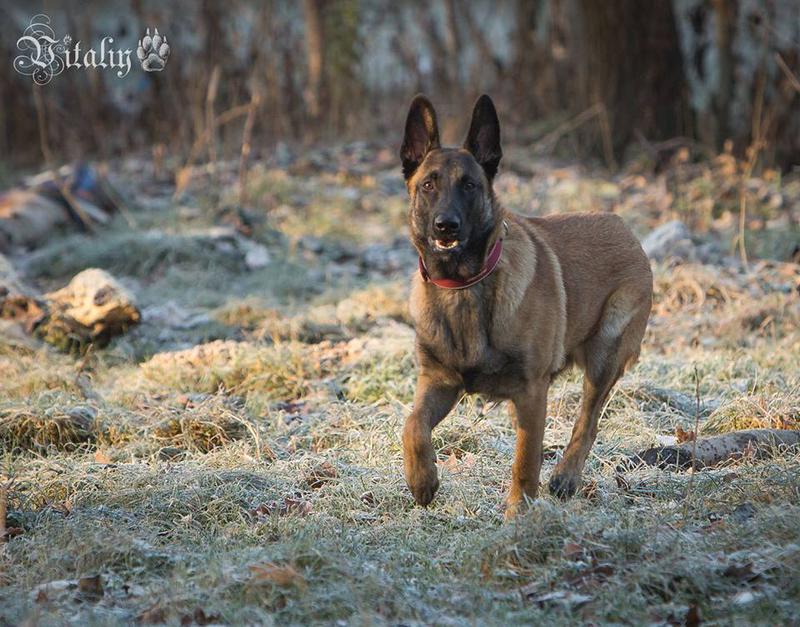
(503, 303)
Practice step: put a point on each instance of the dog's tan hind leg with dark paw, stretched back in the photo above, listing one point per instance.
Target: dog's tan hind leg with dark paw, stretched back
(605, 356)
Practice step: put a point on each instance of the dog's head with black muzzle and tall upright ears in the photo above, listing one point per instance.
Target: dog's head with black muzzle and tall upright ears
(452, 211)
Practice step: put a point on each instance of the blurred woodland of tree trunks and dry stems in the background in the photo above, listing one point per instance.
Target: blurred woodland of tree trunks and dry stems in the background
(591, 79)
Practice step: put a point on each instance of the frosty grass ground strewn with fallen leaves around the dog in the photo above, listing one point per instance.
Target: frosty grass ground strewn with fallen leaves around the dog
(236, 457)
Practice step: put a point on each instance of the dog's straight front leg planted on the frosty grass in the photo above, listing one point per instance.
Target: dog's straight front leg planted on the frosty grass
(530, 409)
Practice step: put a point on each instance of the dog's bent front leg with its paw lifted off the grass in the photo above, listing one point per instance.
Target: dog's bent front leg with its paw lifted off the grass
(432, 402)
